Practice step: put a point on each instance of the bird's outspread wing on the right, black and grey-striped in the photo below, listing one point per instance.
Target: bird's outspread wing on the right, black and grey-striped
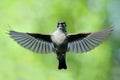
(83, 42)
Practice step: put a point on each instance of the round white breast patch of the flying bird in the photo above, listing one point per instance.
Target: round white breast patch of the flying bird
(58, 37)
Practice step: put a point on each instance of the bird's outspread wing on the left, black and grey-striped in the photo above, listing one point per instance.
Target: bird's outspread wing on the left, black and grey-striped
(39, 43)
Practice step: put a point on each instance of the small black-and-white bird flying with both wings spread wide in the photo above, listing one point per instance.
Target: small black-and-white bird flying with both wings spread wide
(60, 42)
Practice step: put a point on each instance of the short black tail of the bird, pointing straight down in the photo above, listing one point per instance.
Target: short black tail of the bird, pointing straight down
(62, 61)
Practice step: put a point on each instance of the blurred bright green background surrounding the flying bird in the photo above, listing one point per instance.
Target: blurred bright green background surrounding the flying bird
(17, 63)
